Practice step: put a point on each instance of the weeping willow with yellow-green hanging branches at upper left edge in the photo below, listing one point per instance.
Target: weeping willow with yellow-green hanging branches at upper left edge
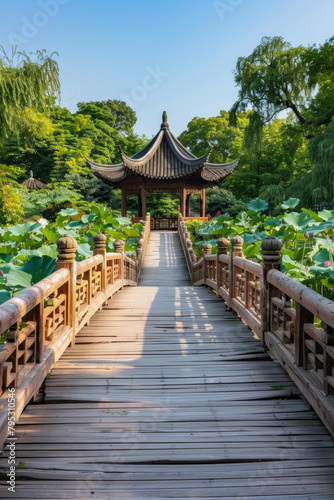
(27, 82)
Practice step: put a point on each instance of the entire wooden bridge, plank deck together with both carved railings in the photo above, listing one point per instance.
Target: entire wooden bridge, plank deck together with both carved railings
(165, 393)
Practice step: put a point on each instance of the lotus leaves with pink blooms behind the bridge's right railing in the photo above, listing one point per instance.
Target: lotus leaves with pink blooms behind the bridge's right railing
(307, 236)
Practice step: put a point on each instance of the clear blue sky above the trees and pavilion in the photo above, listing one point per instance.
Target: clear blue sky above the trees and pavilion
(177, 55)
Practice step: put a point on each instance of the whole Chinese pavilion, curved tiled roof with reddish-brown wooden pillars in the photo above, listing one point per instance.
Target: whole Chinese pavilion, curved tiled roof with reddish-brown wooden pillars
(164, 164)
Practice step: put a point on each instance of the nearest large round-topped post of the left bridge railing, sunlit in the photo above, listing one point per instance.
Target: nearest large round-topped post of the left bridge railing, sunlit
(66, 247)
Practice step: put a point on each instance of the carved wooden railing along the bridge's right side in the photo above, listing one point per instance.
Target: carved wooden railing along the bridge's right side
(295, 323)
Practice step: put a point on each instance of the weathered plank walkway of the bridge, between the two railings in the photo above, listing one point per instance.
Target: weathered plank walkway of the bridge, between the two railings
(168, 395)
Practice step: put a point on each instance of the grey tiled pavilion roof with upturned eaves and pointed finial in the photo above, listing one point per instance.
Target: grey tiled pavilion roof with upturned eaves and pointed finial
(164, 157)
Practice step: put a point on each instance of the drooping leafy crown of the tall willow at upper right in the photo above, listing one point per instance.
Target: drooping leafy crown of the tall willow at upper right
(277, 77)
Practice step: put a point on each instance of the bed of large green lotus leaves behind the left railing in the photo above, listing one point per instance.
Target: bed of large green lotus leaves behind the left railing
(28, 251)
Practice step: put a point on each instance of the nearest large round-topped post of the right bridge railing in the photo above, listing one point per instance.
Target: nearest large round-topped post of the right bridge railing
(271, 259)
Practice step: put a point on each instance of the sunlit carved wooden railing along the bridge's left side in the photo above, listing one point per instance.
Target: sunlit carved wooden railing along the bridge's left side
(40, 322)
